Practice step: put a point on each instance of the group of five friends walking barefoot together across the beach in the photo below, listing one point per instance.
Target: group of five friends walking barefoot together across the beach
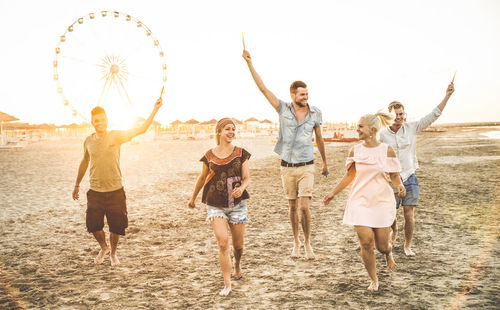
(381, 170)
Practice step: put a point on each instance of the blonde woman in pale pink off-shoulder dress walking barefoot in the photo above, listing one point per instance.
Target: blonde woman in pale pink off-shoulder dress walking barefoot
(370, 206)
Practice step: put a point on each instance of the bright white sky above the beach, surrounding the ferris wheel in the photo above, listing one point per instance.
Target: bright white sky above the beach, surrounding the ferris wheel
(355, 56)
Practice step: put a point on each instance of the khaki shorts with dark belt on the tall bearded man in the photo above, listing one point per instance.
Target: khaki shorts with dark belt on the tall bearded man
(297, 181)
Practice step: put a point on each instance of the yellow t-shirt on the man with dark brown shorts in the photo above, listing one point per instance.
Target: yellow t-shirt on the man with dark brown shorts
(104, 156)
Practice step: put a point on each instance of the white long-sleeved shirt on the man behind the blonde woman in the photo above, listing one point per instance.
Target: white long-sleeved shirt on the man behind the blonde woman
(404, 141)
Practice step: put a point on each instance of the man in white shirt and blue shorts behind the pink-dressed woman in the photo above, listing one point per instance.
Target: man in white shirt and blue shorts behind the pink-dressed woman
(402, 137)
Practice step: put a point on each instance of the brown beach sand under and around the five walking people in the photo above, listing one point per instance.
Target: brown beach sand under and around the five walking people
(169, 255)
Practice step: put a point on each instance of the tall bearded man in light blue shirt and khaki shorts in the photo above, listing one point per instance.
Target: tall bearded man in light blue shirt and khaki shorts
(298, 121)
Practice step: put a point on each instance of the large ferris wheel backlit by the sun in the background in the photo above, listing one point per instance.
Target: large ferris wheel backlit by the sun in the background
(109, 59)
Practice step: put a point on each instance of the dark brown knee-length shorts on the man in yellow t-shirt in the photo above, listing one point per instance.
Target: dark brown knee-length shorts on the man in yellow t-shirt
(113, 205)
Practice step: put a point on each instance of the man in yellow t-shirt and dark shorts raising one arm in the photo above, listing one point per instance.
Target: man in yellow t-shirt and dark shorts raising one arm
(106, 196)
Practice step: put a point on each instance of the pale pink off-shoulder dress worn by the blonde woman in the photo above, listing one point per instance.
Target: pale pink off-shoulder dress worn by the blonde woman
(371, 201)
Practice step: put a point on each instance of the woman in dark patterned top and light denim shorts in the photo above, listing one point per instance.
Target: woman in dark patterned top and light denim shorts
(224, 179)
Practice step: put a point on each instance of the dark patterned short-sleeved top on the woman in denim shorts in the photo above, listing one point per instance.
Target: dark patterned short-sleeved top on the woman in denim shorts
(224, 176)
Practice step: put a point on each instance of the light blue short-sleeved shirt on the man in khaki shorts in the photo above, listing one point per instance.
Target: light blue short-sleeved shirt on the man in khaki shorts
(295, 139)
